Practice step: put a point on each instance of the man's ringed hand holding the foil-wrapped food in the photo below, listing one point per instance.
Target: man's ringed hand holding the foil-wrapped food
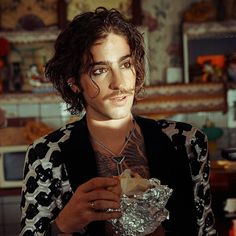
(89, 203)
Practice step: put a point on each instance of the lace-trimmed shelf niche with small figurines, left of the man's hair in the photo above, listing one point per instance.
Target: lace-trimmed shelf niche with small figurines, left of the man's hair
(27, 55)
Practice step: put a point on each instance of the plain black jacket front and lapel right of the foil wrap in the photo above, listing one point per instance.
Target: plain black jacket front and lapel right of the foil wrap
(170, 165)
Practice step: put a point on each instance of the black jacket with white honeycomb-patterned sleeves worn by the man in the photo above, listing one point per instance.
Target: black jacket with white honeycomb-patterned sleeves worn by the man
(177, 154)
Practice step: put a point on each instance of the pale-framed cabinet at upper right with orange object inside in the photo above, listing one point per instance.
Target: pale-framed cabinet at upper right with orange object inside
(209, 49)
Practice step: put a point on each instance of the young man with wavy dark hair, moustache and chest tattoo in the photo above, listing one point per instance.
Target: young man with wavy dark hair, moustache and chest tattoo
(98, 67)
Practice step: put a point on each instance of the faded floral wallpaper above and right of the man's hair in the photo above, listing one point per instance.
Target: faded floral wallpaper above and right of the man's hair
(162, 19)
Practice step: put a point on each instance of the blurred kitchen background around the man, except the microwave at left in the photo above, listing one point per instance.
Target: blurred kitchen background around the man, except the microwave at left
(190, 77)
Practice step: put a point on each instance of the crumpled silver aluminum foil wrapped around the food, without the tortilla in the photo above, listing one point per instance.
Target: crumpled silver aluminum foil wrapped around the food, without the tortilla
(144, 212)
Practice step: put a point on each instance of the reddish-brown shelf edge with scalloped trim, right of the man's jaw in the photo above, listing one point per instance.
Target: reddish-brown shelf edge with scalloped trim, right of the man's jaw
(170, 99)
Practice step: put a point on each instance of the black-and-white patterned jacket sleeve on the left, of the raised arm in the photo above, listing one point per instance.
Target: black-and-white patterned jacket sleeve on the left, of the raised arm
(45, 188)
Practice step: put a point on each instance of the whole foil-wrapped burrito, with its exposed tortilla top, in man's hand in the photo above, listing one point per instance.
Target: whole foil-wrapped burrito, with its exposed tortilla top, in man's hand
(142, 205)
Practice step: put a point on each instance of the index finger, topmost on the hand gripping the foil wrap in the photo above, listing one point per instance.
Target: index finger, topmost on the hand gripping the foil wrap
(98, 182)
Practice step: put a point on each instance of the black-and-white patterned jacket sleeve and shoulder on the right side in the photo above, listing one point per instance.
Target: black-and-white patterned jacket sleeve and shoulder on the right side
(196, 145)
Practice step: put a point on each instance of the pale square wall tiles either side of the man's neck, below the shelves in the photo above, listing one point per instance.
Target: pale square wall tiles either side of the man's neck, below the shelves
(55, 114)
